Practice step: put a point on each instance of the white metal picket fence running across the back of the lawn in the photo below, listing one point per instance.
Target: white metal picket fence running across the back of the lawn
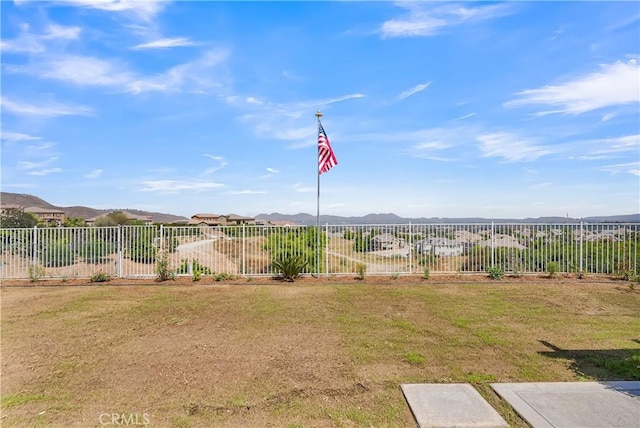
(248, 250)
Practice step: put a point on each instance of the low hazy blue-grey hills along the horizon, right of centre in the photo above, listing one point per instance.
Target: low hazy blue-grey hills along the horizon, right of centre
(309, 220)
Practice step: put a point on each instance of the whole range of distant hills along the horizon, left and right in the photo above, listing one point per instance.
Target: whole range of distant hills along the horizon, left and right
(26, 200)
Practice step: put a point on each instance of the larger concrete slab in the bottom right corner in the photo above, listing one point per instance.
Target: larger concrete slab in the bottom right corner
(574, 404)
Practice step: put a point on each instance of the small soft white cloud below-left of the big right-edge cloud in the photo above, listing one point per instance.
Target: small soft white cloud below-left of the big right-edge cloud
(510, 147)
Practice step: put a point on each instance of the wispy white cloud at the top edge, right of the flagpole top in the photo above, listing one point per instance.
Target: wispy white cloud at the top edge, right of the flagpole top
(423, 21)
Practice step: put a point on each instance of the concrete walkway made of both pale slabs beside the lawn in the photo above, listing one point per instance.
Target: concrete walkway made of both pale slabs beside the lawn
(542, 405)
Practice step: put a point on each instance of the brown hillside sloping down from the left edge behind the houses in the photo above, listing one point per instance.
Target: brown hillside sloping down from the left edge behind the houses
(25, 200)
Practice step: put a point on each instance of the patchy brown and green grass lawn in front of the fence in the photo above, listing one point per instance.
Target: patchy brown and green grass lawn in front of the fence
(297, 355)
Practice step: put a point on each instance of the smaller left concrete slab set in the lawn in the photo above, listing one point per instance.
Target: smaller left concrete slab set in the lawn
(450, 405)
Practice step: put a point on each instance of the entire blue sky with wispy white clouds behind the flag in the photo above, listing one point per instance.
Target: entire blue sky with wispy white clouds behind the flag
(444, 109)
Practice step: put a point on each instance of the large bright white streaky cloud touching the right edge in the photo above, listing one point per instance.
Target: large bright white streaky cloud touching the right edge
(615, 84)
